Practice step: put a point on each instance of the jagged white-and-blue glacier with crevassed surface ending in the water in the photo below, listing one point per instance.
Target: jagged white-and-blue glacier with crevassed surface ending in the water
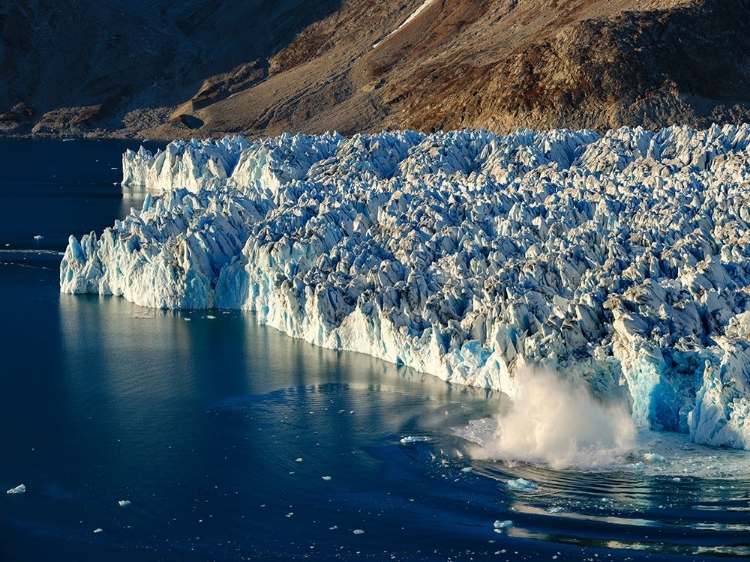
(619, 260)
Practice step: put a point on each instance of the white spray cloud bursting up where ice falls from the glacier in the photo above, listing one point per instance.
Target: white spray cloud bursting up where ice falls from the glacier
(556, 421)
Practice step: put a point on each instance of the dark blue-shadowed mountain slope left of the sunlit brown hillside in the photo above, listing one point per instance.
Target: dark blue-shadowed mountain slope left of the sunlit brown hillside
(81, 64)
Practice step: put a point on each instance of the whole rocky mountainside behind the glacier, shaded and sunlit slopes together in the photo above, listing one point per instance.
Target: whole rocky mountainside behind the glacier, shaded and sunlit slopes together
(262, 67)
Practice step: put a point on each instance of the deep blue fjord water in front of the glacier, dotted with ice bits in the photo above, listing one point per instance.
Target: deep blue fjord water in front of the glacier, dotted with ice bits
(232, 441)
